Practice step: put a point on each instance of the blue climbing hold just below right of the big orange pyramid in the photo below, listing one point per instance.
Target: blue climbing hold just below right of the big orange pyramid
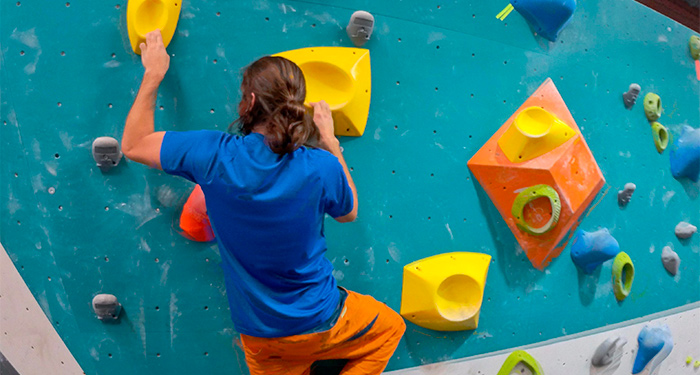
(590, 249)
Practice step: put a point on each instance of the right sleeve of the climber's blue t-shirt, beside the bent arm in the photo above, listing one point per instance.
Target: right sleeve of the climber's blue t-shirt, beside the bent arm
(338, 199)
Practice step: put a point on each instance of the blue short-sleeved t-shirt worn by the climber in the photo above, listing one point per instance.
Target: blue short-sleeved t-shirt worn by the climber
(267, 211)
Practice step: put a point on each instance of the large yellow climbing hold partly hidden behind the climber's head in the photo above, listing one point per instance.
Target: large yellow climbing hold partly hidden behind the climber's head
(343, 78)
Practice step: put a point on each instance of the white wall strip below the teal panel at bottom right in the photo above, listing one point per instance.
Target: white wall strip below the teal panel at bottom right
(571, 355)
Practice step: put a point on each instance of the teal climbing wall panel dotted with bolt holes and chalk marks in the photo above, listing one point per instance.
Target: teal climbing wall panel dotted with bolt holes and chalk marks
(446, 74)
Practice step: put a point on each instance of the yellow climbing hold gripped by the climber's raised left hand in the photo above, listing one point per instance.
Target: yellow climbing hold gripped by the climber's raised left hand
(144, 16)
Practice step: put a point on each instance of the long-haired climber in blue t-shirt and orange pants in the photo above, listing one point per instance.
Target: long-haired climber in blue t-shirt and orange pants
(266, 195)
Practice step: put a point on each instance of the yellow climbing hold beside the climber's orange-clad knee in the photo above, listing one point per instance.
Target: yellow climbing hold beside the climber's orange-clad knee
(444, 292)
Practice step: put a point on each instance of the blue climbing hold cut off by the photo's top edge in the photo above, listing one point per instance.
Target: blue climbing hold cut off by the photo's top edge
(547, 17)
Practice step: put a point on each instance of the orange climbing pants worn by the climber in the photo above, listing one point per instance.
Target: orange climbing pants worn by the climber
(367, 333)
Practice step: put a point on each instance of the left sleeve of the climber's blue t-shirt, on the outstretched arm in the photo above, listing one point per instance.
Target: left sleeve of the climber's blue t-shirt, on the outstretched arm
(190, 154)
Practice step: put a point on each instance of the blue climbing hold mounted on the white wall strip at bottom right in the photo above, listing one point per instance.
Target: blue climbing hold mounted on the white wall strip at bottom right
(655, 343)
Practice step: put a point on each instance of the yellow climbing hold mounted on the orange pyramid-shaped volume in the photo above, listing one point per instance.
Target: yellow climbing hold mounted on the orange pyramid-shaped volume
(534, 132)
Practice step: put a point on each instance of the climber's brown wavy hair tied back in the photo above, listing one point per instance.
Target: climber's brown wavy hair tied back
(280, 89)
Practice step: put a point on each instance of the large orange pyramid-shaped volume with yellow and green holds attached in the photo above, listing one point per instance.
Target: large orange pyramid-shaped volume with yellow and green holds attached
(567, 166)
